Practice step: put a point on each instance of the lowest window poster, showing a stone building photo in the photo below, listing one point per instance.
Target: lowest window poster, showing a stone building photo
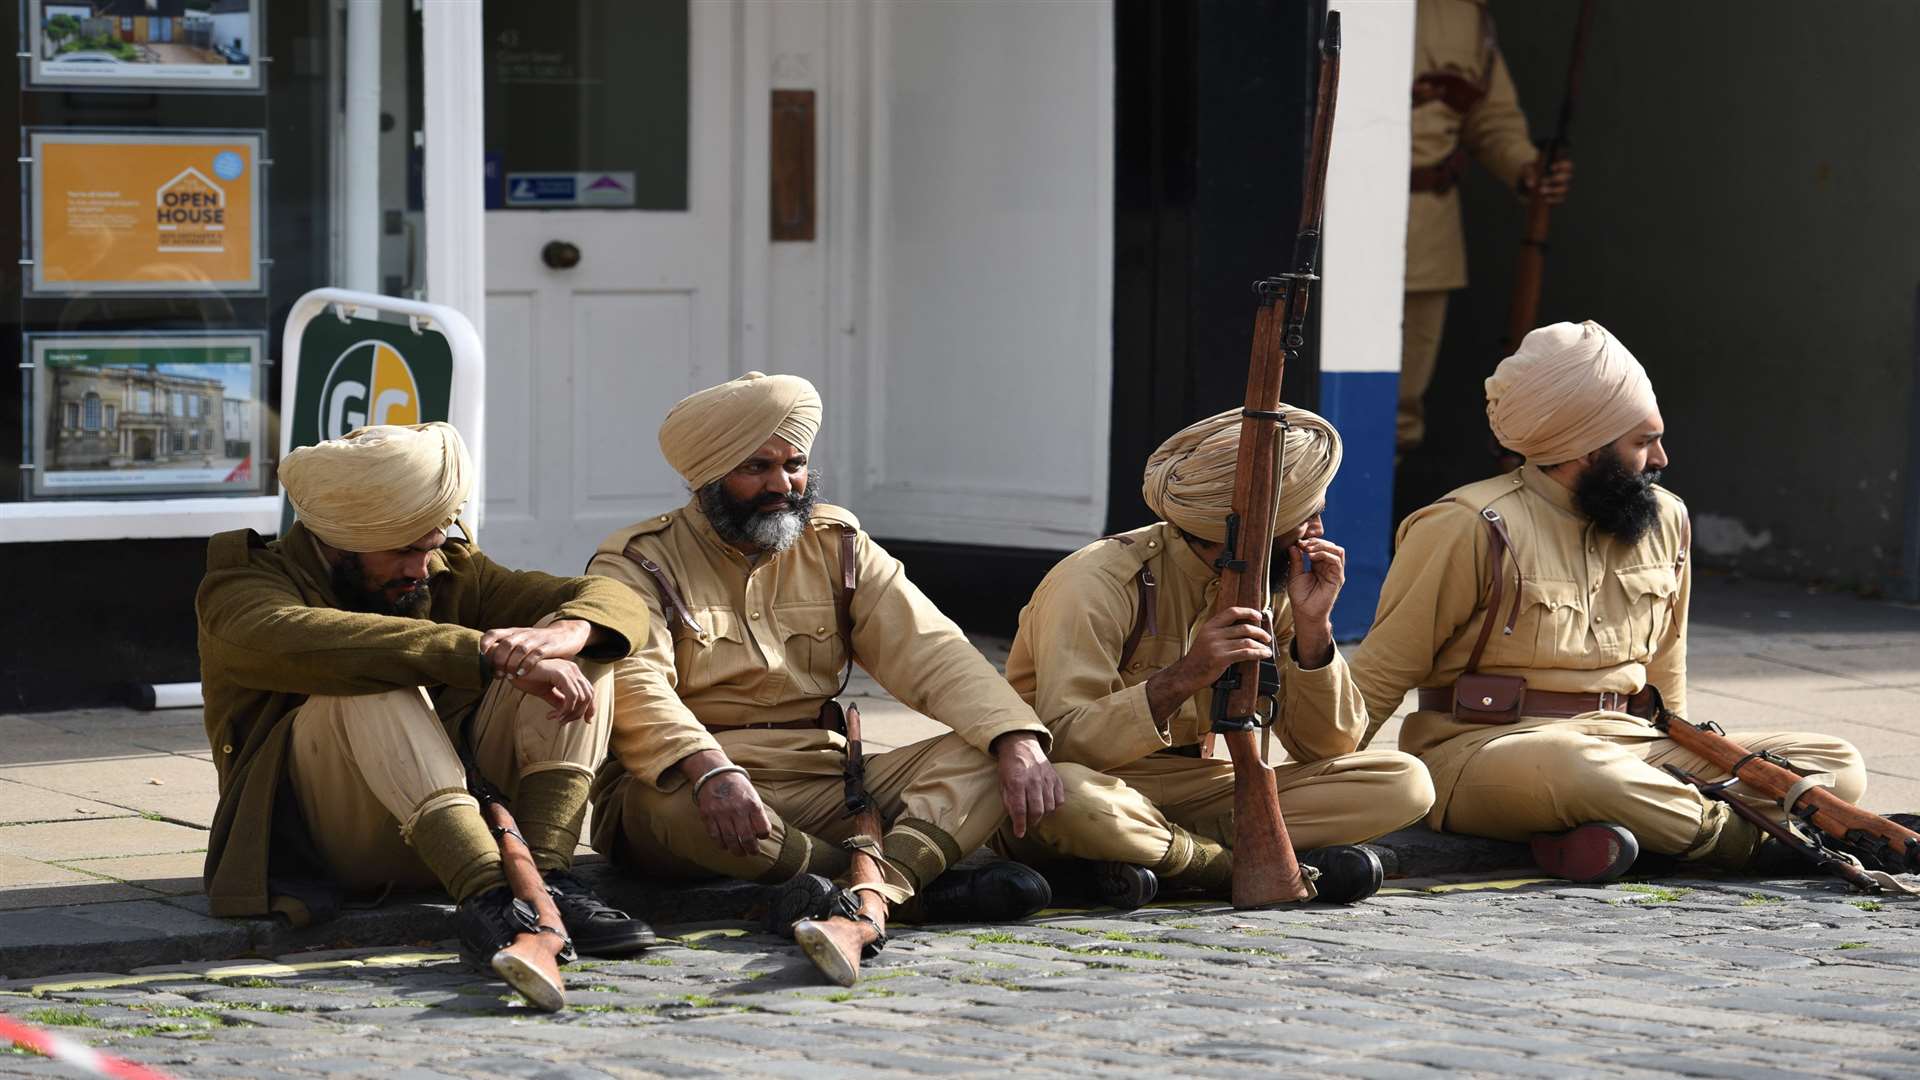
(147, 414)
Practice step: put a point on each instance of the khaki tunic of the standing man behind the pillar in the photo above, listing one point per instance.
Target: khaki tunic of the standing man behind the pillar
(1456, 37)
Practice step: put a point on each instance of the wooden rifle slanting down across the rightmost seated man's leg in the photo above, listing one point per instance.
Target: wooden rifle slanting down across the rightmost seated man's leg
(1877, 841)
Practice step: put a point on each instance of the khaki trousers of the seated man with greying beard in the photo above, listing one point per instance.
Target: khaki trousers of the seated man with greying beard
(942, 795)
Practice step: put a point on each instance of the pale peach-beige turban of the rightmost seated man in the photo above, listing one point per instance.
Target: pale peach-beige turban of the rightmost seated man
(1572, 389)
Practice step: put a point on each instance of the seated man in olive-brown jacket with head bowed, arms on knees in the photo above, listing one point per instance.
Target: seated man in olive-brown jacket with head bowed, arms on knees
(352, 664)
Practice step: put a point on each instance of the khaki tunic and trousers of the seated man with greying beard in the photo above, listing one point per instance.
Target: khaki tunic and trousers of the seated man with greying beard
(769, 650)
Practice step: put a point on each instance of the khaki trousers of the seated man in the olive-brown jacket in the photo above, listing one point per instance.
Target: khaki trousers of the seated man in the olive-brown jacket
(368, 768)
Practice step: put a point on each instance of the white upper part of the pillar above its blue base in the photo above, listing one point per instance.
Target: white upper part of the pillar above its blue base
(1366, 249)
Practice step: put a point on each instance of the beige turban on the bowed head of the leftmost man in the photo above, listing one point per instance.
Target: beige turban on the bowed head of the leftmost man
(381, 487)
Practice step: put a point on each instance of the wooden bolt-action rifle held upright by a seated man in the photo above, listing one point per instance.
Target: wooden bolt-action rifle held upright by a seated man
(1264, 868)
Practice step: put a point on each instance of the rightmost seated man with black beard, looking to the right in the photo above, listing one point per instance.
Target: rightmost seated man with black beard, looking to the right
(1581, 564)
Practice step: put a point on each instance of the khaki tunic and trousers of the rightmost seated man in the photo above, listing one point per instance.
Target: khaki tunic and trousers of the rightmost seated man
(1596, 614)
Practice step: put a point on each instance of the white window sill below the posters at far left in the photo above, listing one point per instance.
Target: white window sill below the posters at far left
(99, 520)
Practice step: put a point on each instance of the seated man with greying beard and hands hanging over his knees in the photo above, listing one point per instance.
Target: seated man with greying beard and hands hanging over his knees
(721, 756)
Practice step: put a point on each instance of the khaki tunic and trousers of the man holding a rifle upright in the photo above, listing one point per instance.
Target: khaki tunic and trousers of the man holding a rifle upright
(1124, 798)
